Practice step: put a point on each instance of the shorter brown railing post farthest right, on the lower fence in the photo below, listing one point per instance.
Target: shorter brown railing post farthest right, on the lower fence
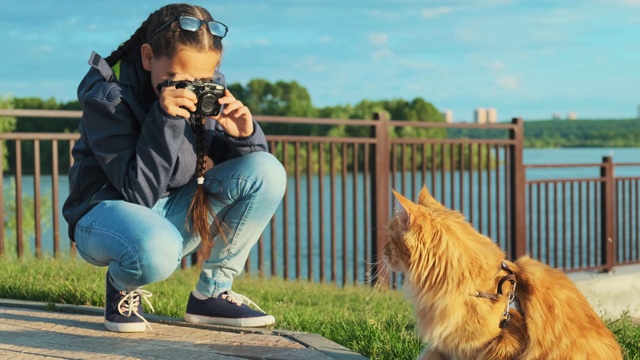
(607, 213)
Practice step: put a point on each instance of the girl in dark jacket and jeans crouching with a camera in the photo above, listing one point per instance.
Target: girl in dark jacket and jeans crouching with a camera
(140, 198)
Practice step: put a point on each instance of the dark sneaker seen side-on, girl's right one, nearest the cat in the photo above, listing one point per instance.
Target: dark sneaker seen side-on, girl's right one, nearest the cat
(227, 309)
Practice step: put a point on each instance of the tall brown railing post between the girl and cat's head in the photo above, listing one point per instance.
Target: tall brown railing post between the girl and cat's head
(380, 191)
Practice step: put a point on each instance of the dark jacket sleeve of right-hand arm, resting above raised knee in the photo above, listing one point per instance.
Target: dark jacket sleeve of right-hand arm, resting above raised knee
(224, 147)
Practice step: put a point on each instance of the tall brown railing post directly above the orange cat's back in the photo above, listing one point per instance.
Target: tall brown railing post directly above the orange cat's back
(517, 190)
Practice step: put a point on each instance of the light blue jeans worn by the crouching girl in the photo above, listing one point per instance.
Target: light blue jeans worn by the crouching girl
(141, 245)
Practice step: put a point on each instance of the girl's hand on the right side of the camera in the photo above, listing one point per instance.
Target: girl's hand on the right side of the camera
(235, 118)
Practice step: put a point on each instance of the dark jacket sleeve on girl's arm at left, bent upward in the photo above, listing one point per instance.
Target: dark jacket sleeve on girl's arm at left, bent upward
(138, 157)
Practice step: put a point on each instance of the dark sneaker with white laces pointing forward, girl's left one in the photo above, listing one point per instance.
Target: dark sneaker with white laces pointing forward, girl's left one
(119, 307)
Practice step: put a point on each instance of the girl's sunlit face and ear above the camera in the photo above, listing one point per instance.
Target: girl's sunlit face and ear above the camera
(187, 64)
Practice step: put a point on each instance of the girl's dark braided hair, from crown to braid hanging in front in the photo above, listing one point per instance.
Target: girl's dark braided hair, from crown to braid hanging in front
(164, 44)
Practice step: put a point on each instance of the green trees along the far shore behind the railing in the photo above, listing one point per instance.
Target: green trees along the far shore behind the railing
(291, 99)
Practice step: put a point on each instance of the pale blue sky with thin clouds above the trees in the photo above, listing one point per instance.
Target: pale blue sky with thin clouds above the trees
(524, 58)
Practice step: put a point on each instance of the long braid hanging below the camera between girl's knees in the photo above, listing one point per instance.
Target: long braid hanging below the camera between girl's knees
(200, 208)
